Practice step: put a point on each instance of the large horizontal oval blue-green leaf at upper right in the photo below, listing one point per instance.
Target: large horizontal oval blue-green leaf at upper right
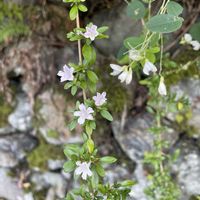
(164, 23)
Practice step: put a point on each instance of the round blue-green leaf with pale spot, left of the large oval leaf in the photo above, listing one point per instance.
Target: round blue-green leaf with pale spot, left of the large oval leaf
(136, 9)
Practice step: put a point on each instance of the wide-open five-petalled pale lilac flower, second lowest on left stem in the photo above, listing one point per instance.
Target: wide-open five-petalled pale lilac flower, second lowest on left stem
(84, 114)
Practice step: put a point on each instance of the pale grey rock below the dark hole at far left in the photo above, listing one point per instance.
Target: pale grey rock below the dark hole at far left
(21, 118)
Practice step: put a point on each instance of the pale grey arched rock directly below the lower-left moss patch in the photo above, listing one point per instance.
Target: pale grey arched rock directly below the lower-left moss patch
(50, 180)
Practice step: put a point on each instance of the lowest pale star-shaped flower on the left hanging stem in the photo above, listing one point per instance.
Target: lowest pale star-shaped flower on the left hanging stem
(84, 169)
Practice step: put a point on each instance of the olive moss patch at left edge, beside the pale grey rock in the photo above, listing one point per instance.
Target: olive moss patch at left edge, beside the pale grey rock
(5, 110)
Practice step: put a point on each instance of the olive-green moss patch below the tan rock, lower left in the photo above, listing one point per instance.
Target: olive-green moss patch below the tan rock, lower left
(40, 156)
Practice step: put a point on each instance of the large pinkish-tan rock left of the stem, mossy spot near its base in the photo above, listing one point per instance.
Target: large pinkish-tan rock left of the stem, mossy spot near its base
(53, 112)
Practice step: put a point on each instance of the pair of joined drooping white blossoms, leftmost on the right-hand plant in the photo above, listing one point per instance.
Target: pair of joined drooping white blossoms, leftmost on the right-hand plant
(125, 73)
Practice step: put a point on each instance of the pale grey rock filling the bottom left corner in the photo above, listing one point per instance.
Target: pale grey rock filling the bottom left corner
(9, 188)
